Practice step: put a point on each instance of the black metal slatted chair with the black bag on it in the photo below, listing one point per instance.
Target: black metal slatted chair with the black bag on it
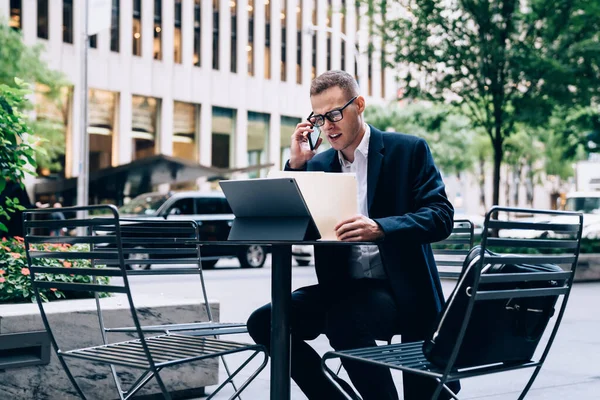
(409, 357)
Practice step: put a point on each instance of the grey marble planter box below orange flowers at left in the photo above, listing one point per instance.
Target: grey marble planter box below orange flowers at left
(75, 324)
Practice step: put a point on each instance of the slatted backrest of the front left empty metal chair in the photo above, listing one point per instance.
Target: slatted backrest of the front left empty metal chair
(91, 263)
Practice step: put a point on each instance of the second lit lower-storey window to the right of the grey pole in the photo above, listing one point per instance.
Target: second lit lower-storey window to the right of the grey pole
(143, 126)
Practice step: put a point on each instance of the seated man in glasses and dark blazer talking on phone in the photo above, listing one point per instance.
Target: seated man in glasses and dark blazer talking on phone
(366, 293)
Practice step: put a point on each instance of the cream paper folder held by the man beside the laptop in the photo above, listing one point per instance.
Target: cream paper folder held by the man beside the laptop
(330, 197)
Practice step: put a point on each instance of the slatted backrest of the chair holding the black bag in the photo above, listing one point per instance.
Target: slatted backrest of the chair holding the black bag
(551, 238)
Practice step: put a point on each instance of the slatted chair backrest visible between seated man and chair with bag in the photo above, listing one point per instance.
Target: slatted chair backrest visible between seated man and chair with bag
(450, 253)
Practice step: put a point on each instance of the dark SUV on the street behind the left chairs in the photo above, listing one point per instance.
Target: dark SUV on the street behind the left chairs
(213, 215)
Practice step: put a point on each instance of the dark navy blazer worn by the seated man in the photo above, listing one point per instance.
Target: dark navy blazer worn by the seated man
(406, 197)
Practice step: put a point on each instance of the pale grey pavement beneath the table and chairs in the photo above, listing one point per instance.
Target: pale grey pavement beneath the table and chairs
(572, 370)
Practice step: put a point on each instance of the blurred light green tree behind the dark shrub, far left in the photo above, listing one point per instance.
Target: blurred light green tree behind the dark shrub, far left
(25, 62)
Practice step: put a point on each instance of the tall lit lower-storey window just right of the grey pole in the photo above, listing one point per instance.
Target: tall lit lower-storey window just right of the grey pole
(100, 128)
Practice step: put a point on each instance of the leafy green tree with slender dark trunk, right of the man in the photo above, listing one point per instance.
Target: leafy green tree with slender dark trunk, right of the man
(506, 61)
